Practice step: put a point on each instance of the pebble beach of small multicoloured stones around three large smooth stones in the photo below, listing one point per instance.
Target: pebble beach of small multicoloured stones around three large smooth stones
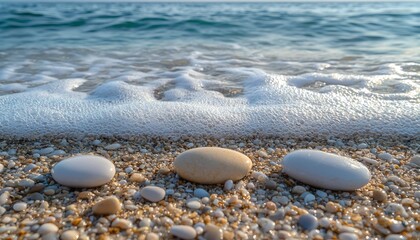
(147, 199)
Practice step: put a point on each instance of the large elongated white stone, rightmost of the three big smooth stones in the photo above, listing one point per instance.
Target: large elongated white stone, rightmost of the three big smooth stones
(326, 170)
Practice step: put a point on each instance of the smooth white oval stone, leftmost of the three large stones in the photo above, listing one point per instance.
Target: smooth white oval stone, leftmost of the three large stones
(83, 171)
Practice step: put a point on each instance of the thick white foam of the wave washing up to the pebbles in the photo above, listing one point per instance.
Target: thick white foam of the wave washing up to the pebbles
(271, 104)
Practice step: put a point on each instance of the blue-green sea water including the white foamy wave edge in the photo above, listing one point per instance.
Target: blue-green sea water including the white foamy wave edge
(298, 69)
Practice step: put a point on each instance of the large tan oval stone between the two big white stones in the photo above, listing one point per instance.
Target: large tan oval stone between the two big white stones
(212, 165)
